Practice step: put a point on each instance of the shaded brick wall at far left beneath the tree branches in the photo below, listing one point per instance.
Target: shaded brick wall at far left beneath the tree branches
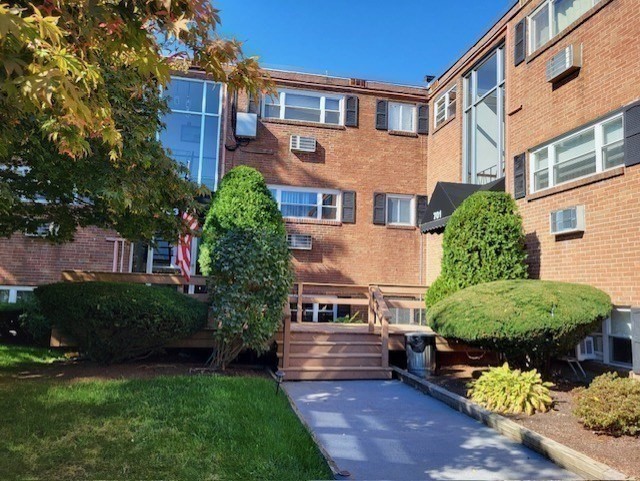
(28, 261)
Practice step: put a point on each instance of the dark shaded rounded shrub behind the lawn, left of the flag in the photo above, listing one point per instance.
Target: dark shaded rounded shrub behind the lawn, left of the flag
(117, 321)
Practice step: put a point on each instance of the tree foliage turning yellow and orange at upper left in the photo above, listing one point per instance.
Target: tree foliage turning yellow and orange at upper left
(80, 108)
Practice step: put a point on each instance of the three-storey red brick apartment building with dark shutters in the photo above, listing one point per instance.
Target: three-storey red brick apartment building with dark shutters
(545, 100)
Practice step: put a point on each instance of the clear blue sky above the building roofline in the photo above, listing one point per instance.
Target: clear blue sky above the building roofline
(399, 41)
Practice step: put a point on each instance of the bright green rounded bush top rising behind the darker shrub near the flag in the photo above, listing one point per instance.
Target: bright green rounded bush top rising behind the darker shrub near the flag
(242, 201)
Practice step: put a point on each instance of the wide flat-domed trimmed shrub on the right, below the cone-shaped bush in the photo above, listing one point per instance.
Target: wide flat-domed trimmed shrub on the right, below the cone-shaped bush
(527, 320)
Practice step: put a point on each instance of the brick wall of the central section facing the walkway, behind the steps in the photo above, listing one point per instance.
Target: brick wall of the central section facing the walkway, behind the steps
(361, 159)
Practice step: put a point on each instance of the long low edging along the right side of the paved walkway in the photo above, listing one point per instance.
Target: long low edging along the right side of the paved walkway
(560, 454)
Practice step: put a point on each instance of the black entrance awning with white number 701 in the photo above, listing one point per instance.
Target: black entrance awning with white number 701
(446, 198)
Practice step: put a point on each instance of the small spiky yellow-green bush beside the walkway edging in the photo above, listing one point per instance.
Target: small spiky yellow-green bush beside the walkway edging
(504, 390)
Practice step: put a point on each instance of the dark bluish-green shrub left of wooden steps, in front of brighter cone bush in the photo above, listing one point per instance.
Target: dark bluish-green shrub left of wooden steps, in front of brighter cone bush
(248, 287)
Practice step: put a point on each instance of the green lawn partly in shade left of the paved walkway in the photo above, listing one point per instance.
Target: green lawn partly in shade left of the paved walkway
(179, 428)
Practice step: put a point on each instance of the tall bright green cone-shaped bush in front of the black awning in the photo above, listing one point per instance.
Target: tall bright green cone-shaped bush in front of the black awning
(483, 242)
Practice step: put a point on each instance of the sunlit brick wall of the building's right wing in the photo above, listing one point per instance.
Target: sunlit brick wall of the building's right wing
(607, 255)
